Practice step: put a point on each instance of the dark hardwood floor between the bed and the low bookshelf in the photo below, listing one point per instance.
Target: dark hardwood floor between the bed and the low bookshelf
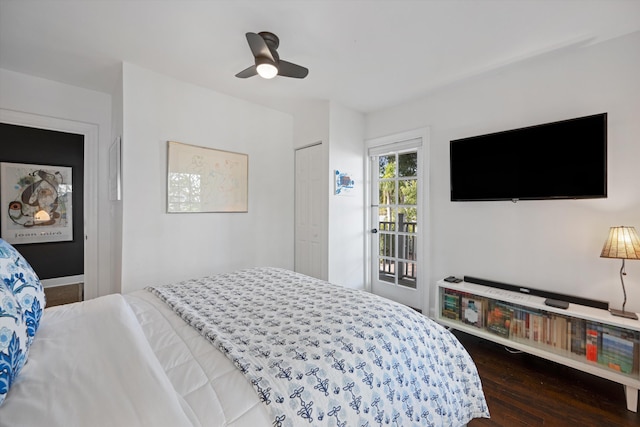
(525, 390)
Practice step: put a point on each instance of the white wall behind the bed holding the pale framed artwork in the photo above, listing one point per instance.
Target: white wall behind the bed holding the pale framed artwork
(161, 248)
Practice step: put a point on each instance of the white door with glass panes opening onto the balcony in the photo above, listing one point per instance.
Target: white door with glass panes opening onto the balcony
(396, 222)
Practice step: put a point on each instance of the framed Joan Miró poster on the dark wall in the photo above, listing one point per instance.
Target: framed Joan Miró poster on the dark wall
(36, 203)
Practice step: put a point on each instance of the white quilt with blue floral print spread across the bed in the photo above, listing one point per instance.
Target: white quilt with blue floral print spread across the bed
(320, 354)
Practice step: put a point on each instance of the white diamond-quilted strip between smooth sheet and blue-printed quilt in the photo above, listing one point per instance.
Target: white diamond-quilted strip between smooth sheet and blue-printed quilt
(215, 391)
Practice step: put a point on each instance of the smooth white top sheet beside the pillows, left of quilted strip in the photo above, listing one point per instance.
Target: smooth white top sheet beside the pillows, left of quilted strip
(100, 371)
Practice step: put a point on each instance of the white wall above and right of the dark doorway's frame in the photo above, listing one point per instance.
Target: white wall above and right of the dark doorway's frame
(48, 99)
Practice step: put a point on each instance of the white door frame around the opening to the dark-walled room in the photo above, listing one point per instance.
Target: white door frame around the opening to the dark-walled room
(90, 133)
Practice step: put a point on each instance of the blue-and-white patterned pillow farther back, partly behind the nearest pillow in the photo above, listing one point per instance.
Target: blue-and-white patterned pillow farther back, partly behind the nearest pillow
(19, 277)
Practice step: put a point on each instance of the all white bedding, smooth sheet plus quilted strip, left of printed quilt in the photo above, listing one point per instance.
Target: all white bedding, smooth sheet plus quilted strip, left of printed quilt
(128, 361)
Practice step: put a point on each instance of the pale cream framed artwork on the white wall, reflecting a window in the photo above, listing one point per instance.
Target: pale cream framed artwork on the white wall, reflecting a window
(201, 179)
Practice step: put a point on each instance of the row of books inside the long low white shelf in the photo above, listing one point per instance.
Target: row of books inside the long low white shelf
(617, 348)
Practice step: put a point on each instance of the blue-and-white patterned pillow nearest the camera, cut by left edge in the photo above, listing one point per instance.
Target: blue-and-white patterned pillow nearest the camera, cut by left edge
(13, 339)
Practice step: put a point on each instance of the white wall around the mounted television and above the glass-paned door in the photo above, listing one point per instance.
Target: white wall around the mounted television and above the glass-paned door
(551, 245)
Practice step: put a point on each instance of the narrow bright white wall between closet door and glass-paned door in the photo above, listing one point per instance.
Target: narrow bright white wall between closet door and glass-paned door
(346, 213)
